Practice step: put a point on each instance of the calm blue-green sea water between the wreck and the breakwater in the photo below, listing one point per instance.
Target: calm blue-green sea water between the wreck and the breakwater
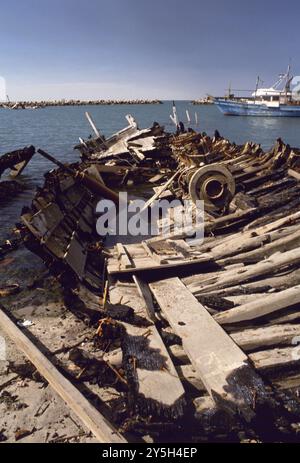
(57, 130)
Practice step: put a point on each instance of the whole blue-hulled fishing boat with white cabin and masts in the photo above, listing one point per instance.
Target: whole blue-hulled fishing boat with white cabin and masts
(266, 102)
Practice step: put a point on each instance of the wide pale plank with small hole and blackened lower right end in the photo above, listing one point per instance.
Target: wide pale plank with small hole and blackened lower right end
(219, 362)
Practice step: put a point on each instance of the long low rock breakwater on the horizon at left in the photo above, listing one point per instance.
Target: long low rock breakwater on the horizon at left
(45, 104)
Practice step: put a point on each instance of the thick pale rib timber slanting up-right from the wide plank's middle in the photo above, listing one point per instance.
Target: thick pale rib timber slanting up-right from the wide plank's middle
(260, 307)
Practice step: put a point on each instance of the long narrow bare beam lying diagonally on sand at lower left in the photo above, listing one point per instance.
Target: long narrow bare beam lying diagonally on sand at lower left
(101, 428)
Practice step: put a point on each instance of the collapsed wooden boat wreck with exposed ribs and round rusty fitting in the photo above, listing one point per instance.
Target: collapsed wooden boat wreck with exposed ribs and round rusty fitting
(202, 337)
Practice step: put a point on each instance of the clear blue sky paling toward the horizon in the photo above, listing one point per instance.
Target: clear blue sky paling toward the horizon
(166, 49)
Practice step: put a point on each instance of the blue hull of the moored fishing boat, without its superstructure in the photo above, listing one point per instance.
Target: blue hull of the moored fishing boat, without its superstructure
(233, 108)
